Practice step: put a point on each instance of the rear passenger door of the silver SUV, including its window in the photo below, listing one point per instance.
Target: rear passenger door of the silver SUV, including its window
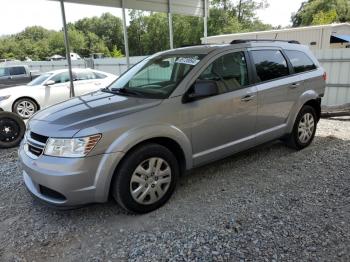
(274, 81)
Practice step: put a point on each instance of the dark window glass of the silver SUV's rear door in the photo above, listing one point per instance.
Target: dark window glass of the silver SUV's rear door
(269, 64)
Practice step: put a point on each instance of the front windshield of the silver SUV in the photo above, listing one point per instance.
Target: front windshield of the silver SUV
(156, 76)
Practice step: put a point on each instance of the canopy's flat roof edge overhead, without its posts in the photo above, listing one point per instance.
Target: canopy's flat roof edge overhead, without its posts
(184, 7)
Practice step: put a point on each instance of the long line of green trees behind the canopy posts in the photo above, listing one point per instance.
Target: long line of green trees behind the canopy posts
(148, 32)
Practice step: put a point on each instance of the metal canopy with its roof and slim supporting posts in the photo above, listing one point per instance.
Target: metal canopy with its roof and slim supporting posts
(183, 7)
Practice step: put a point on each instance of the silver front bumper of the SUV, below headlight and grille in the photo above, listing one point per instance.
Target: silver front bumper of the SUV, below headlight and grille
(69, 182)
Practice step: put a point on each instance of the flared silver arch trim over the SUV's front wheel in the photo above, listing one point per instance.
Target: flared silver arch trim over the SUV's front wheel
(132, 137)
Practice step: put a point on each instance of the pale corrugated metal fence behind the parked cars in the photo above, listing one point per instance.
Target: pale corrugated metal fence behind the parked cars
(336, 62)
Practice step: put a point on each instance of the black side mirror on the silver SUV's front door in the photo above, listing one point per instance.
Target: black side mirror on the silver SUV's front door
(201, 89)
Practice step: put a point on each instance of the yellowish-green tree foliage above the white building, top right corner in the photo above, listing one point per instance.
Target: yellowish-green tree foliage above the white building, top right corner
(314, 12)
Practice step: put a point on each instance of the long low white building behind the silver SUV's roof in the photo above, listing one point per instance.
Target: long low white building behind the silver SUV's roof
(317, 37)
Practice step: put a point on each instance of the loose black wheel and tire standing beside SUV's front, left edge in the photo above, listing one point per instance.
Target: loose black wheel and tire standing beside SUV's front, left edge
(12, 129)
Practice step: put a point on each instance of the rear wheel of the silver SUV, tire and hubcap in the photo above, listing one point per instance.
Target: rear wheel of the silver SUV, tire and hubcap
(304, 128)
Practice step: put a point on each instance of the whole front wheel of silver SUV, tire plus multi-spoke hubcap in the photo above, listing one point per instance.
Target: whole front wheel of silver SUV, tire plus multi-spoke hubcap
(136, 174)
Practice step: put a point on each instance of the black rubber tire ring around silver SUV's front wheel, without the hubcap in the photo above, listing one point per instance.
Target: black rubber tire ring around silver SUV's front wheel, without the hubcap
(121, 181)
